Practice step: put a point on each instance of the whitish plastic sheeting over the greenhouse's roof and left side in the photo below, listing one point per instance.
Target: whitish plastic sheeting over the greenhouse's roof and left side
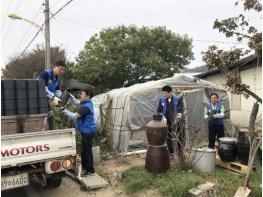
(123, 111)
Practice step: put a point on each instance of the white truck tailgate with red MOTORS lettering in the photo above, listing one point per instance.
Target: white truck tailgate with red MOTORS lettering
(21, 149)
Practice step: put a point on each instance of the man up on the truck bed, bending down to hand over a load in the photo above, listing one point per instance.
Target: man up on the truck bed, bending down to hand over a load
(51, 77)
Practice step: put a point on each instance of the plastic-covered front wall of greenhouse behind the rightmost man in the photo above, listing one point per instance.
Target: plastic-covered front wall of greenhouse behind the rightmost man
(194, 103)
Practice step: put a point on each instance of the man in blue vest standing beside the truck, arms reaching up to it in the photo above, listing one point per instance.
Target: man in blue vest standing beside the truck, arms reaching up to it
(85, 124)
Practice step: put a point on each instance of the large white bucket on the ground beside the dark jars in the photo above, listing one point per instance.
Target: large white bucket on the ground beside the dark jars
(204, 159)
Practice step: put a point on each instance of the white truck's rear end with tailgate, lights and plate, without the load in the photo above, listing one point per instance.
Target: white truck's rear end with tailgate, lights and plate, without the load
(45, 155)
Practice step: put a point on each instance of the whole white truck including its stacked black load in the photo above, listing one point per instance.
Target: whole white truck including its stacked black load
(28, 149)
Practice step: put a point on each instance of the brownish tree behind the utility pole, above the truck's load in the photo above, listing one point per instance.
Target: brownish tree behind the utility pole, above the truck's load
(32, 63)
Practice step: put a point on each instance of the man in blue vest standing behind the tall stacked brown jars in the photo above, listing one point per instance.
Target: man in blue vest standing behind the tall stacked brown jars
(168, 107)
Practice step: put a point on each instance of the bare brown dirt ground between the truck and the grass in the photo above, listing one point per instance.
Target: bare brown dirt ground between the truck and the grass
(110, 170)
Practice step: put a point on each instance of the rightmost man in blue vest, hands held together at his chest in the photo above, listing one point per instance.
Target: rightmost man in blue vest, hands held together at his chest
(214, 113)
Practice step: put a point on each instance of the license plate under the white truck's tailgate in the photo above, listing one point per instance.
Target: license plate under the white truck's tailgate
(11, 182)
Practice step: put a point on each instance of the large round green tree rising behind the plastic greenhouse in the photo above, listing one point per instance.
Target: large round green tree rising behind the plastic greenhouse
(121, 54)
